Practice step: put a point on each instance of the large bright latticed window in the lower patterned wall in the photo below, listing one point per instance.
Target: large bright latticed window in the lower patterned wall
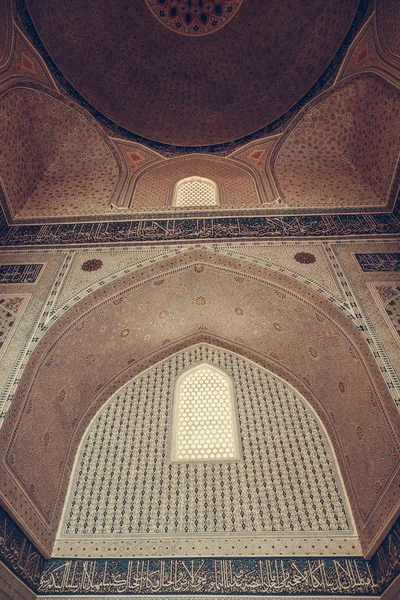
(204, 424)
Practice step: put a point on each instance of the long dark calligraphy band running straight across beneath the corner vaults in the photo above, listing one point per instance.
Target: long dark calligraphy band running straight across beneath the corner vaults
(204, 229)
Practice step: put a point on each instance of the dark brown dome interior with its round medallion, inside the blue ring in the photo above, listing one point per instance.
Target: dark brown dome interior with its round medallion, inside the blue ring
(191, 72)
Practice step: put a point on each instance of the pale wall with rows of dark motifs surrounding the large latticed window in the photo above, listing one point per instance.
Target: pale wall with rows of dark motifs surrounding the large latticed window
(124, 481)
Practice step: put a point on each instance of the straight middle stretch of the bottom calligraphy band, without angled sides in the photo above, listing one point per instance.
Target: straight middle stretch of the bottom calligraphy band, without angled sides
(209, 576)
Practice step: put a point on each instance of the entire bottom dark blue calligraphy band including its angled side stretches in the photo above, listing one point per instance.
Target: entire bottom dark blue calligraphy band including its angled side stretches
(347, 577)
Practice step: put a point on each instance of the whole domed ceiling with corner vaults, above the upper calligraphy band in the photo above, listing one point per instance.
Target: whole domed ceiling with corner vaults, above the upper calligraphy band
(288, 108)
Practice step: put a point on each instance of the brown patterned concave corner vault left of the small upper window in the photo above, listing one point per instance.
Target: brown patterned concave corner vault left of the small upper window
(63, 164)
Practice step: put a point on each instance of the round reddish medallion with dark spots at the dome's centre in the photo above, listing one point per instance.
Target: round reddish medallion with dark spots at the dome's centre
(194, 17)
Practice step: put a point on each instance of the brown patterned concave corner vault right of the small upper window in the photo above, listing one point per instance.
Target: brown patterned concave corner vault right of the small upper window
(333, 153)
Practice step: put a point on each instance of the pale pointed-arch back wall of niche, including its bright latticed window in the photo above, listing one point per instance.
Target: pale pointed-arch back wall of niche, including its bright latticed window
(204, 444)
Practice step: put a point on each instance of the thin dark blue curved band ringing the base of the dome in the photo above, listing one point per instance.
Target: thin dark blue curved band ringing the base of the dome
(363, 11)
